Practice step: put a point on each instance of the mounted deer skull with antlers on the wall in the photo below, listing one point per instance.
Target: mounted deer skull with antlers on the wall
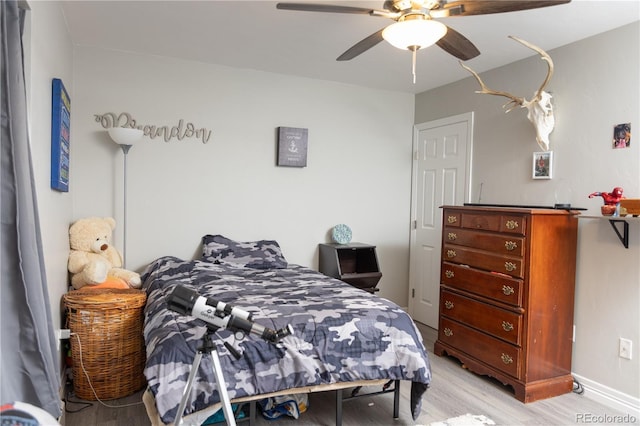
(540, 110)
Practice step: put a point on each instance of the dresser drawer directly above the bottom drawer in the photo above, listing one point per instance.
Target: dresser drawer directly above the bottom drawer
(493, 320)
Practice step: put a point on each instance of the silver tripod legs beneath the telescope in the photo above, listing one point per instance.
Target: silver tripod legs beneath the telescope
(208, 347)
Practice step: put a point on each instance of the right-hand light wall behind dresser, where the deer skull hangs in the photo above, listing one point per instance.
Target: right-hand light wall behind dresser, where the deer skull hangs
(595, 86)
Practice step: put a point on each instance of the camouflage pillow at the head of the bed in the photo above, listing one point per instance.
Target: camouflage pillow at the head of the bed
(263, 254)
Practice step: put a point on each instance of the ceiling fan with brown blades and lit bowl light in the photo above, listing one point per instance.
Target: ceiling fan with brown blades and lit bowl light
(415, 27)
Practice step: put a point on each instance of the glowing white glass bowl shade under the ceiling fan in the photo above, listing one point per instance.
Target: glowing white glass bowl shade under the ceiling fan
(414, 34)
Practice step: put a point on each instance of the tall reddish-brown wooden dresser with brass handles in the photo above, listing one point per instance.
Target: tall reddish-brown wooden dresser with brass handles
(507, 293)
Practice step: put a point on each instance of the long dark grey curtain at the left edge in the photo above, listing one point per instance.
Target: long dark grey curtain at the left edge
(28, 357)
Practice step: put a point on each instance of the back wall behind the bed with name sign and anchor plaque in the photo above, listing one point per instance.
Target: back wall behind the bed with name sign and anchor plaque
(358, 173)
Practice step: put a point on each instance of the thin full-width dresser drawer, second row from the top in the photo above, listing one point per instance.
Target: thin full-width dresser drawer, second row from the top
(502, 244)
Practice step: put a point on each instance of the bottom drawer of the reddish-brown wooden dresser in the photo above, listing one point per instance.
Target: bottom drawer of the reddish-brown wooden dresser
(491, 351)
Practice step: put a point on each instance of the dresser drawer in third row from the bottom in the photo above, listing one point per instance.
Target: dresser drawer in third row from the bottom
(492, 285)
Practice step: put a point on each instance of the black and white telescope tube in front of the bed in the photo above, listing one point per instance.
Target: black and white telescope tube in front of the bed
(221, 315)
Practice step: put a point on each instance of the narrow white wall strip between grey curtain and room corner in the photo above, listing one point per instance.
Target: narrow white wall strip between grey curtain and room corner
(49, 54)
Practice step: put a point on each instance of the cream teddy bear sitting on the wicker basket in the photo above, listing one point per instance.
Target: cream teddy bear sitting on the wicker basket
(93, 261)
